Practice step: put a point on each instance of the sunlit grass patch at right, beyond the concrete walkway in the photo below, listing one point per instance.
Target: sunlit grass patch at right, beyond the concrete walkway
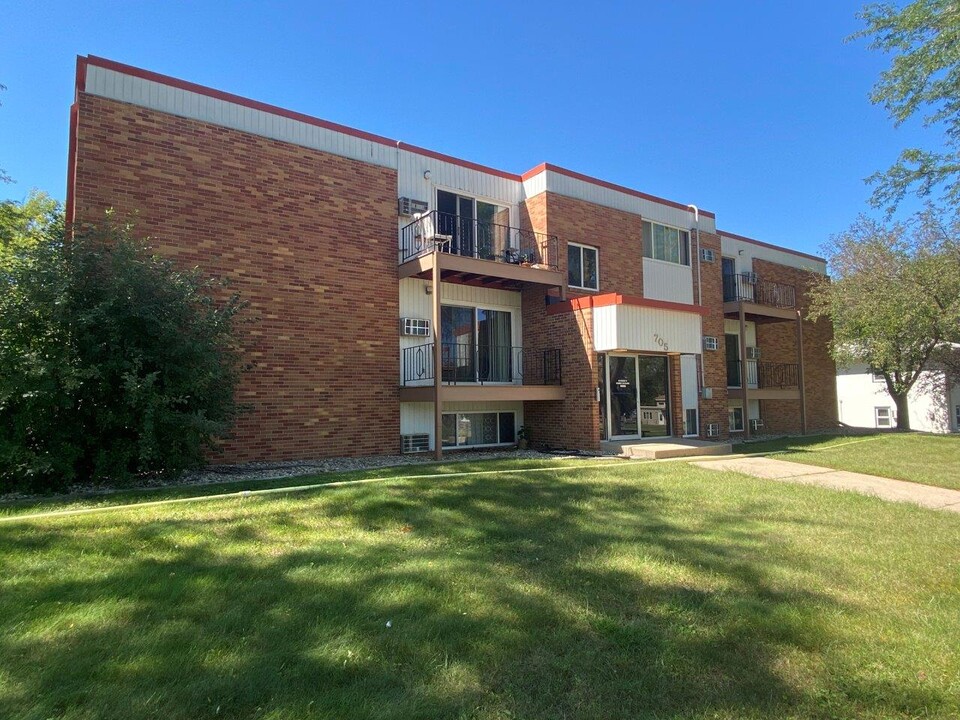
(927, 459)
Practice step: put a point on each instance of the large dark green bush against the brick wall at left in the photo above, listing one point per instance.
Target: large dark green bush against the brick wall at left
(112, 362)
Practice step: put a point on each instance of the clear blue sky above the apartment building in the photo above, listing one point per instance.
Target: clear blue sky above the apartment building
(757, 111)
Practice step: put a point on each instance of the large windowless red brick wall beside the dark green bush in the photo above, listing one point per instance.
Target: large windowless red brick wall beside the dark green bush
(307, 237)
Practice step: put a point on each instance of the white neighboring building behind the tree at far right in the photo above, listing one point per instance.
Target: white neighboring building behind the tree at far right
(863, 401)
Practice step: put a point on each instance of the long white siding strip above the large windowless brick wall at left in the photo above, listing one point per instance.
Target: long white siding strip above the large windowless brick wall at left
(184, 103)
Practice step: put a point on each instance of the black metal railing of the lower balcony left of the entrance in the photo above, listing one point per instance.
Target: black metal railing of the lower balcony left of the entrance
(466, 363)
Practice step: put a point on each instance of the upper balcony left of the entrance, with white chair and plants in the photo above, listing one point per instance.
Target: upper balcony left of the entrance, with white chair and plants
(474, 252)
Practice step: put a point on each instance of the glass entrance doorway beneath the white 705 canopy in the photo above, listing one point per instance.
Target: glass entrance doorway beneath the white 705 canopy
(638, 397)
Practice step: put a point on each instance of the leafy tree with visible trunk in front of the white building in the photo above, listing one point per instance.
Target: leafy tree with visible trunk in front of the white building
(894, 298)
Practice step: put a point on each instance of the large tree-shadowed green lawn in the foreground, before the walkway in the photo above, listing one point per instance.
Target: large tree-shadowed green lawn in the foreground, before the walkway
(624, 590)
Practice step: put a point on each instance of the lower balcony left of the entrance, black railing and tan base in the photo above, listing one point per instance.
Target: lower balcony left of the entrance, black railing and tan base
(470, 372)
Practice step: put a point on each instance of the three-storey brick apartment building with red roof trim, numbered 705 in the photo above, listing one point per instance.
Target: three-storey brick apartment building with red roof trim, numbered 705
(583, 310)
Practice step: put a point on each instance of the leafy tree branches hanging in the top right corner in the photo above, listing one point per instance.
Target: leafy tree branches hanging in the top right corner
(924, 76)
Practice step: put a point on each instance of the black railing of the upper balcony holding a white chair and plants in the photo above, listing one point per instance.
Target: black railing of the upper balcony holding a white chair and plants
(477, 239)
